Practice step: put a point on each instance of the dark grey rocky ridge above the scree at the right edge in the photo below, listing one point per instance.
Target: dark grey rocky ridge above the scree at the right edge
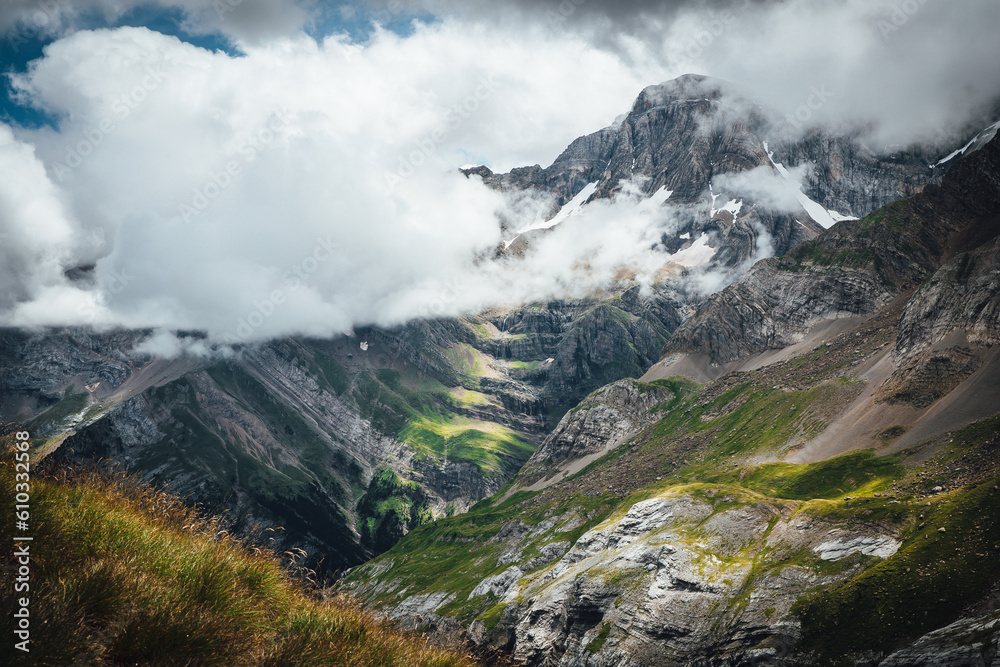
(853, 268)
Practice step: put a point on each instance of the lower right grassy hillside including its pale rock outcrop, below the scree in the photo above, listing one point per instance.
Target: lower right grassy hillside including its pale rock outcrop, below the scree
(698, 517)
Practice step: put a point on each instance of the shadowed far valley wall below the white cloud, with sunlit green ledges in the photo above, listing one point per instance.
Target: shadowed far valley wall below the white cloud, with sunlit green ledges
(291, 433)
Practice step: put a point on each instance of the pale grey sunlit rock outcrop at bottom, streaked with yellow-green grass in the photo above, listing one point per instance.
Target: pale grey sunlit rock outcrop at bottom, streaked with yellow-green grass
(655, 586)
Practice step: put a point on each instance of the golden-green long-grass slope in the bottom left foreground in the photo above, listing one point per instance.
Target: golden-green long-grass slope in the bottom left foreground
(124, 574)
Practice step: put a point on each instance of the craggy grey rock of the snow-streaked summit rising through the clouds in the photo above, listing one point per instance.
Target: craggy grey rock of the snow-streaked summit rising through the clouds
(684, 134)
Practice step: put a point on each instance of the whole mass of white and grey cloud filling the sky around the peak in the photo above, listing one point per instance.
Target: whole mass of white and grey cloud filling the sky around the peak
(308, 187)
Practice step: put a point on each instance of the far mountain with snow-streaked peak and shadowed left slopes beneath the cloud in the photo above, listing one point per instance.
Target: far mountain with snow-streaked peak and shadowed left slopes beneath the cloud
(348, 444)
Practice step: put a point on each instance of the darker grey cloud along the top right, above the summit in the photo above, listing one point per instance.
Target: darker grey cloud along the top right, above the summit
(915, 70)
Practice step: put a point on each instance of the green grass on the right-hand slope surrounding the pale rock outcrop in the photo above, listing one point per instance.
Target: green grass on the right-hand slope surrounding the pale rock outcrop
(701, 446)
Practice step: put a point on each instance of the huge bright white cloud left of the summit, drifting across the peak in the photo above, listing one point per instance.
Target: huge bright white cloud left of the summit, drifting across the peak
(272, 193)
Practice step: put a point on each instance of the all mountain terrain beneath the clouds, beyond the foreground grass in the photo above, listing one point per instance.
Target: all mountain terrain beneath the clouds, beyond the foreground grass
(785, 452)
